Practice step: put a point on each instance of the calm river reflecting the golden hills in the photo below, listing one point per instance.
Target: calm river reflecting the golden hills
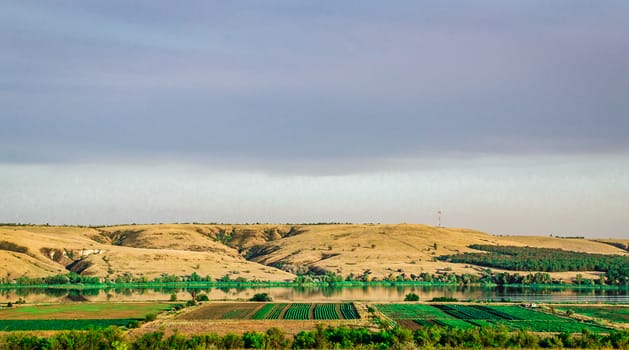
(371, 293)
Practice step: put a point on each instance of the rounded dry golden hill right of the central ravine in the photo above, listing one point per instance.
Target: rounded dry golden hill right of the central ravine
(390, 250)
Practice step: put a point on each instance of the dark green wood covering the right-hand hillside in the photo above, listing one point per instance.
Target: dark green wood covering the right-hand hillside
(615, 267)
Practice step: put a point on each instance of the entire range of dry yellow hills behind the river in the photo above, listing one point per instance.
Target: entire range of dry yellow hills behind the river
(251, 251)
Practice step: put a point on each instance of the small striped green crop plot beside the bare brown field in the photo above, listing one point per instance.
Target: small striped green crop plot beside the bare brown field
(306, 311)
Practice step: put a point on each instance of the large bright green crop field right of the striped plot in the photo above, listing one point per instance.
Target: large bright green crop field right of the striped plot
(465, 316)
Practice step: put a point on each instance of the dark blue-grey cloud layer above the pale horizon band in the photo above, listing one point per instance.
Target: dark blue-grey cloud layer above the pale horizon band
(285, 82)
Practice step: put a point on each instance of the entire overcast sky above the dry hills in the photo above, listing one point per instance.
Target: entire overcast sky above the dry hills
(511, 117)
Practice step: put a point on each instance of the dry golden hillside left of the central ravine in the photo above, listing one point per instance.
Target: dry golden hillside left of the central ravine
(137, 250)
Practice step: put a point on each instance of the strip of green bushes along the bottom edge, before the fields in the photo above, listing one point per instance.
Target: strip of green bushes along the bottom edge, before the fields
(321, 337)
